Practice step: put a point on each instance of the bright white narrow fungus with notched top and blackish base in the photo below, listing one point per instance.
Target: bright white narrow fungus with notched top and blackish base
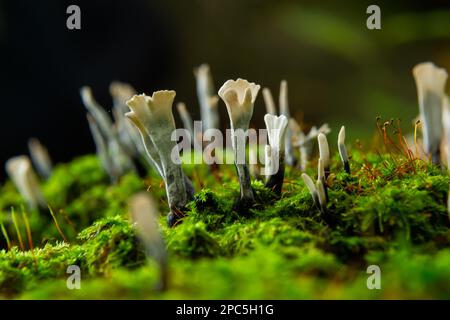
(276, 130)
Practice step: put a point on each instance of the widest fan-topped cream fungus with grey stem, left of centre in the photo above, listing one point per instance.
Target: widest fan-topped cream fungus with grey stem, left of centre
(154, 119)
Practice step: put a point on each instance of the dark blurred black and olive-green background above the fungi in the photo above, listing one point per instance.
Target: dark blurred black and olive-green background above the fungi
(338, 71)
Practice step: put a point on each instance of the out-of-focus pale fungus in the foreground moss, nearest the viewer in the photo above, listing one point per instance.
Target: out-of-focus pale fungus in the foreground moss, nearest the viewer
(145, 215)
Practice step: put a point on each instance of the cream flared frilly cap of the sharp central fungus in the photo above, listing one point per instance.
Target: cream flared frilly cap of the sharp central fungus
(239, 96)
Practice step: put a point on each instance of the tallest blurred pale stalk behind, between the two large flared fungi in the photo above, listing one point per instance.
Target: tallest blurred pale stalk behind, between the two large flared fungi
(207, 99)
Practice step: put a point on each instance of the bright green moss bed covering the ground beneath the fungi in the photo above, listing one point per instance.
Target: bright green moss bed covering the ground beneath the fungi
(391, 211)
